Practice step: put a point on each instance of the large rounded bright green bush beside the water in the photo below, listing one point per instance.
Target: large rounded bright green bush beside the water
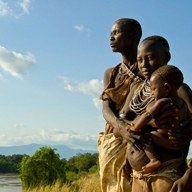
(43, 168)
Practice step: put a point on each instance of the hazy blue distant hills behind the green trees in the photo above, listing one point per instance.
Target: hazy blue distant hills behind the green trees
(62, 150)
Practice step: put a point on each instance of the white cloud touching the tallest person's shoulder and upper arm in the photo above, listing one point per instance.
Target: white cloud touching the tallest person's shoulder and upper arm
(92, 88)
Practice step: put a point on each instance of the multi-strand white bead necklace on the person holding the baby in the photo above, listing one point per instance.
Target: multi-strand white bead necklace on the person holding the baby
(141, 98)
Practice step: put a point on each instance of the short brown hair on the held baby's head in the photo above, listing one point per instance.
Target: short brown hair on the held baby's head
(170, 74)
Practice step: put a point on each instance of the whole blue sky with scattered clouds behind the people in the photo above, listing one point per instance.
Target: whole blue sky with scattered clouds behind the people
(53, 54)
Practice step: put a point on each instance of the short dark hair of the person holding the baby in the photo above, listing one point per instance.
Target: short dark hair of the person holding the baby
(162, 41)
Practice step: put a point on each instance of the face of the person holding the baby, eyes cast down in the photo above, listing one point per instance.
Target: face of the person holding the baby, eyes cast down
(150, 56)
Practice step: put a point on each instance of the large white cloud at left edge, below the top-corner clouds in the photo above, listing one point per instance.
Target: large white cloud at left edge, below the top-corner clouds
(15, 63)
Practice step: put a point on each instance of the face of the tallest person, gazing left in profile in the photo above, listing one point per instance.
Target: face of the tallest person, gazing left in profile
(119, 38)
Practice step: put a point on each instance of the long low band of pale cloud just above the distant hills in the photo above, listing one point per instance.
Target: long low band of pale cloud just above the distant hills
(53, 136)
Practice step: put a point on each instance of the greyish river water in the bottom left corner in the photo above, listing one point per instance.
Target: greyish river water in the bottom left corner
(10, 183)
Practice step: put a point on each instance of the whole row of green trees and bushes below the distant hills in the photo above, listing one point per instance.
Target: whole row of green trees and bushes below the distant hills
(45, 167)
